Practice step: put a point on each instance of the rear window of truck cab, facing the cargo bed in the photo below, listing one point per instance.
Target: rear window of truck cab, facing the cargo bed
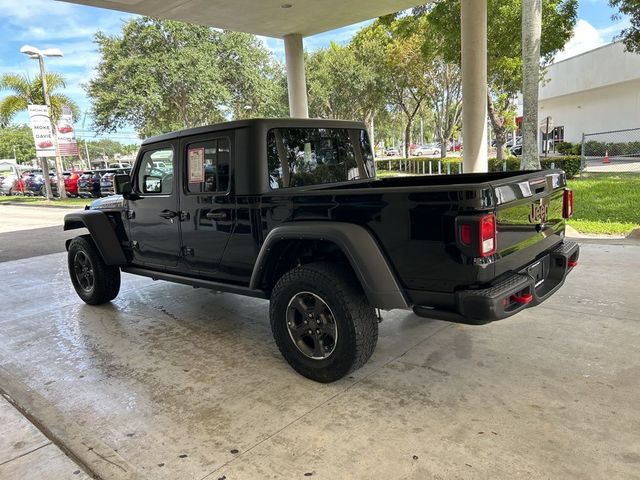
(300, 157)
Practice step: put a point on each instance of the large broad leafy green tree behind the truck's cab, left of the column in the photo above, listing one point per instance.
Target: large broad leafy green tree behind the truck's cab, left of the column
(162, 75)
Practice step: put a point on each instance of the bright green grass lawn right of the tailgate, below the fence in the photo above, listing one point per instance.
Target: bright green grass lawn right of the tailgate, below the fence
(606, 203)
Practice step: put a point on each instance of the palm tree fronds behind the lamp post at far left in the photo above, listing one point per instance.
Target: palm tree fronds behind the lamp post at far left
(28, 91)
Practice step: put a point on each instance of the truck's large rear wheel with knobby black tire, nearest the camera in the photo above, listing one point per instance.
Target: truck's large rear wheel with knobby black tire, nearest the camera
(322, 321)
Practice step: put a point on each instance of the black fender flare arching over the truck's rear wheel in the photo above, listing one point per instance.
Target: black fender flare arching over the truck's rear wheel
(376, 276)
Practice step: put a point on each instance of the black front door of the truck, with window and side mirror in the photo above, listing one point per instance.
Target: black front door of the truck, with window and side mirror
(154, 221)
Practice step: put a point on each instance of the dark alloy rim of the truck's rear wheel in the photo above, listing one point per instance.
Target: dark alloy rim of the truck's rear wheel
(311, 325)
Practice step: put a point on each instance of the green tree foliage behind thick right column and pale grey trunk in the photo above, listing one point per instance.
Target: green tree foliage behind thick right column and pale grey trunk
(505, 48)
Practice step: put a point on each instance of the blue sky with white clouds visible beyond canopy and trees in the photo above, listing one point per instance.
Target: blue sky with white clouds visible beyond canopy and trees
(48, 24)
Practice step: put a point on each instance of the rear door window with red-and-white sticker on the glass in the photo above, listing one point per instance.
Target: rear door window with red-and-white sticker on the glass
(208, 166)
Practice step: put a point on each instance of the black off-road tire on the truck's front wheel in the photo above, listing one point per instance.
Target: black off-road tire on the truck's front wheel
(106, 279)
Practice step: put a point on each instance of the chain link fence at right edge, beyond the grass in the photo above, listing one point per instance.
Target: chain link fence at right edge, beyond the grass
(611, 152)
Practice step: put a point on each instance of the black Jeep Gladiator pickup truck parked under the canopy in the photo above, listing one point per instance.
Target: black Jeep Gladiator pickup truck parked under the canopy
(290, 210)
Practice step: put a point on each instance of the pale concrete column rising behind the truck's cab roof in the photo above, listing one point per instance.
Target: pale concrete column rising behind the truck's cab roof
(296, 81)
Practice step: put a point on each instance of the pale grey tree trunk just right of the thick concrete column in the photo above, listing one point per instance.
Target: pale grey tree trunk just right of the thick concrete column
(531, 34)
